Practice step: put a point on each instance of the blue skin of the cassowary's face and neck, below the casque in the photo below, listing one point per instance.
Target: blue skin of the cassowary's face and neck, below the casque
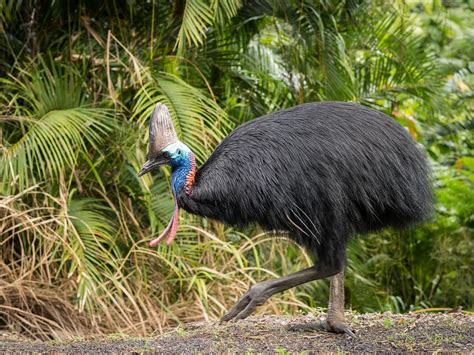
(180, 163)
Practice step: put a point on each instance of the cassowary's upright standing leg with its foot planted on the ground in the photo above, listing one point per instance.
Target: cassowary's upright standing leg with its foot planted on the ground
(335, 320)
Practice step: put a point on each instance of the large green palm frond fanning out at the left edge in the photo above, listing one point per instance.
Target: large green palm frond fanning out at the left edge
(49, 126)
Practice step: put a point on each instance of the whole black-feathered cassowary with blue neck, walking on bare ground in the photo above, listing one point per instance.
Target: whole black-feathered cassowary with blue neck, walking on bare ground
(320, 172)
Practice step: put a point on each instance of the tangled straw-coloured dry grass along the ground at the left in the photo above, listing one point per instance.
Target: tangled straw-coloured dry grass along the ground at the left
(59, 282)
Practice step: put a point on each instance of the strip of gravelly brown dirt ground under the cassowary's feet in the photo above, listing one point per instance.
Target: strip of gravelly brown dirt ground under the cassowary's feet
(452, 332)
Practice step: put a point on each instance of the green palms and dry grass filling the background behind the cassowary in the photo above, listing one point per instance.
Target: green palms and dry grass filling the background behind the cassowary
(78, 82)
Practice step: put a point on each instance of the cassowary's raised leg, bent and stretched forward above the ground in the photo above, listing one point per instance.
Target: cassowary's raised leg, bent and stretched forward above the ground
(259, 293)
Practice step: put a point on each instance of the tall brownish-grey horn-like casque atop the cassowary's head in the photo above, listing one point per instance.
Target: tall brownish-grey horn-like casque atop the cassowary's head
(162, 132)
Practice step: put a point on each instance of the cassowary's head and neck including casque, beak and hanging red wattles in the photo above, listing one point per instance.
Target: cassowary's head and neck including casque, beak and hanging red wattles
(165, 149)
